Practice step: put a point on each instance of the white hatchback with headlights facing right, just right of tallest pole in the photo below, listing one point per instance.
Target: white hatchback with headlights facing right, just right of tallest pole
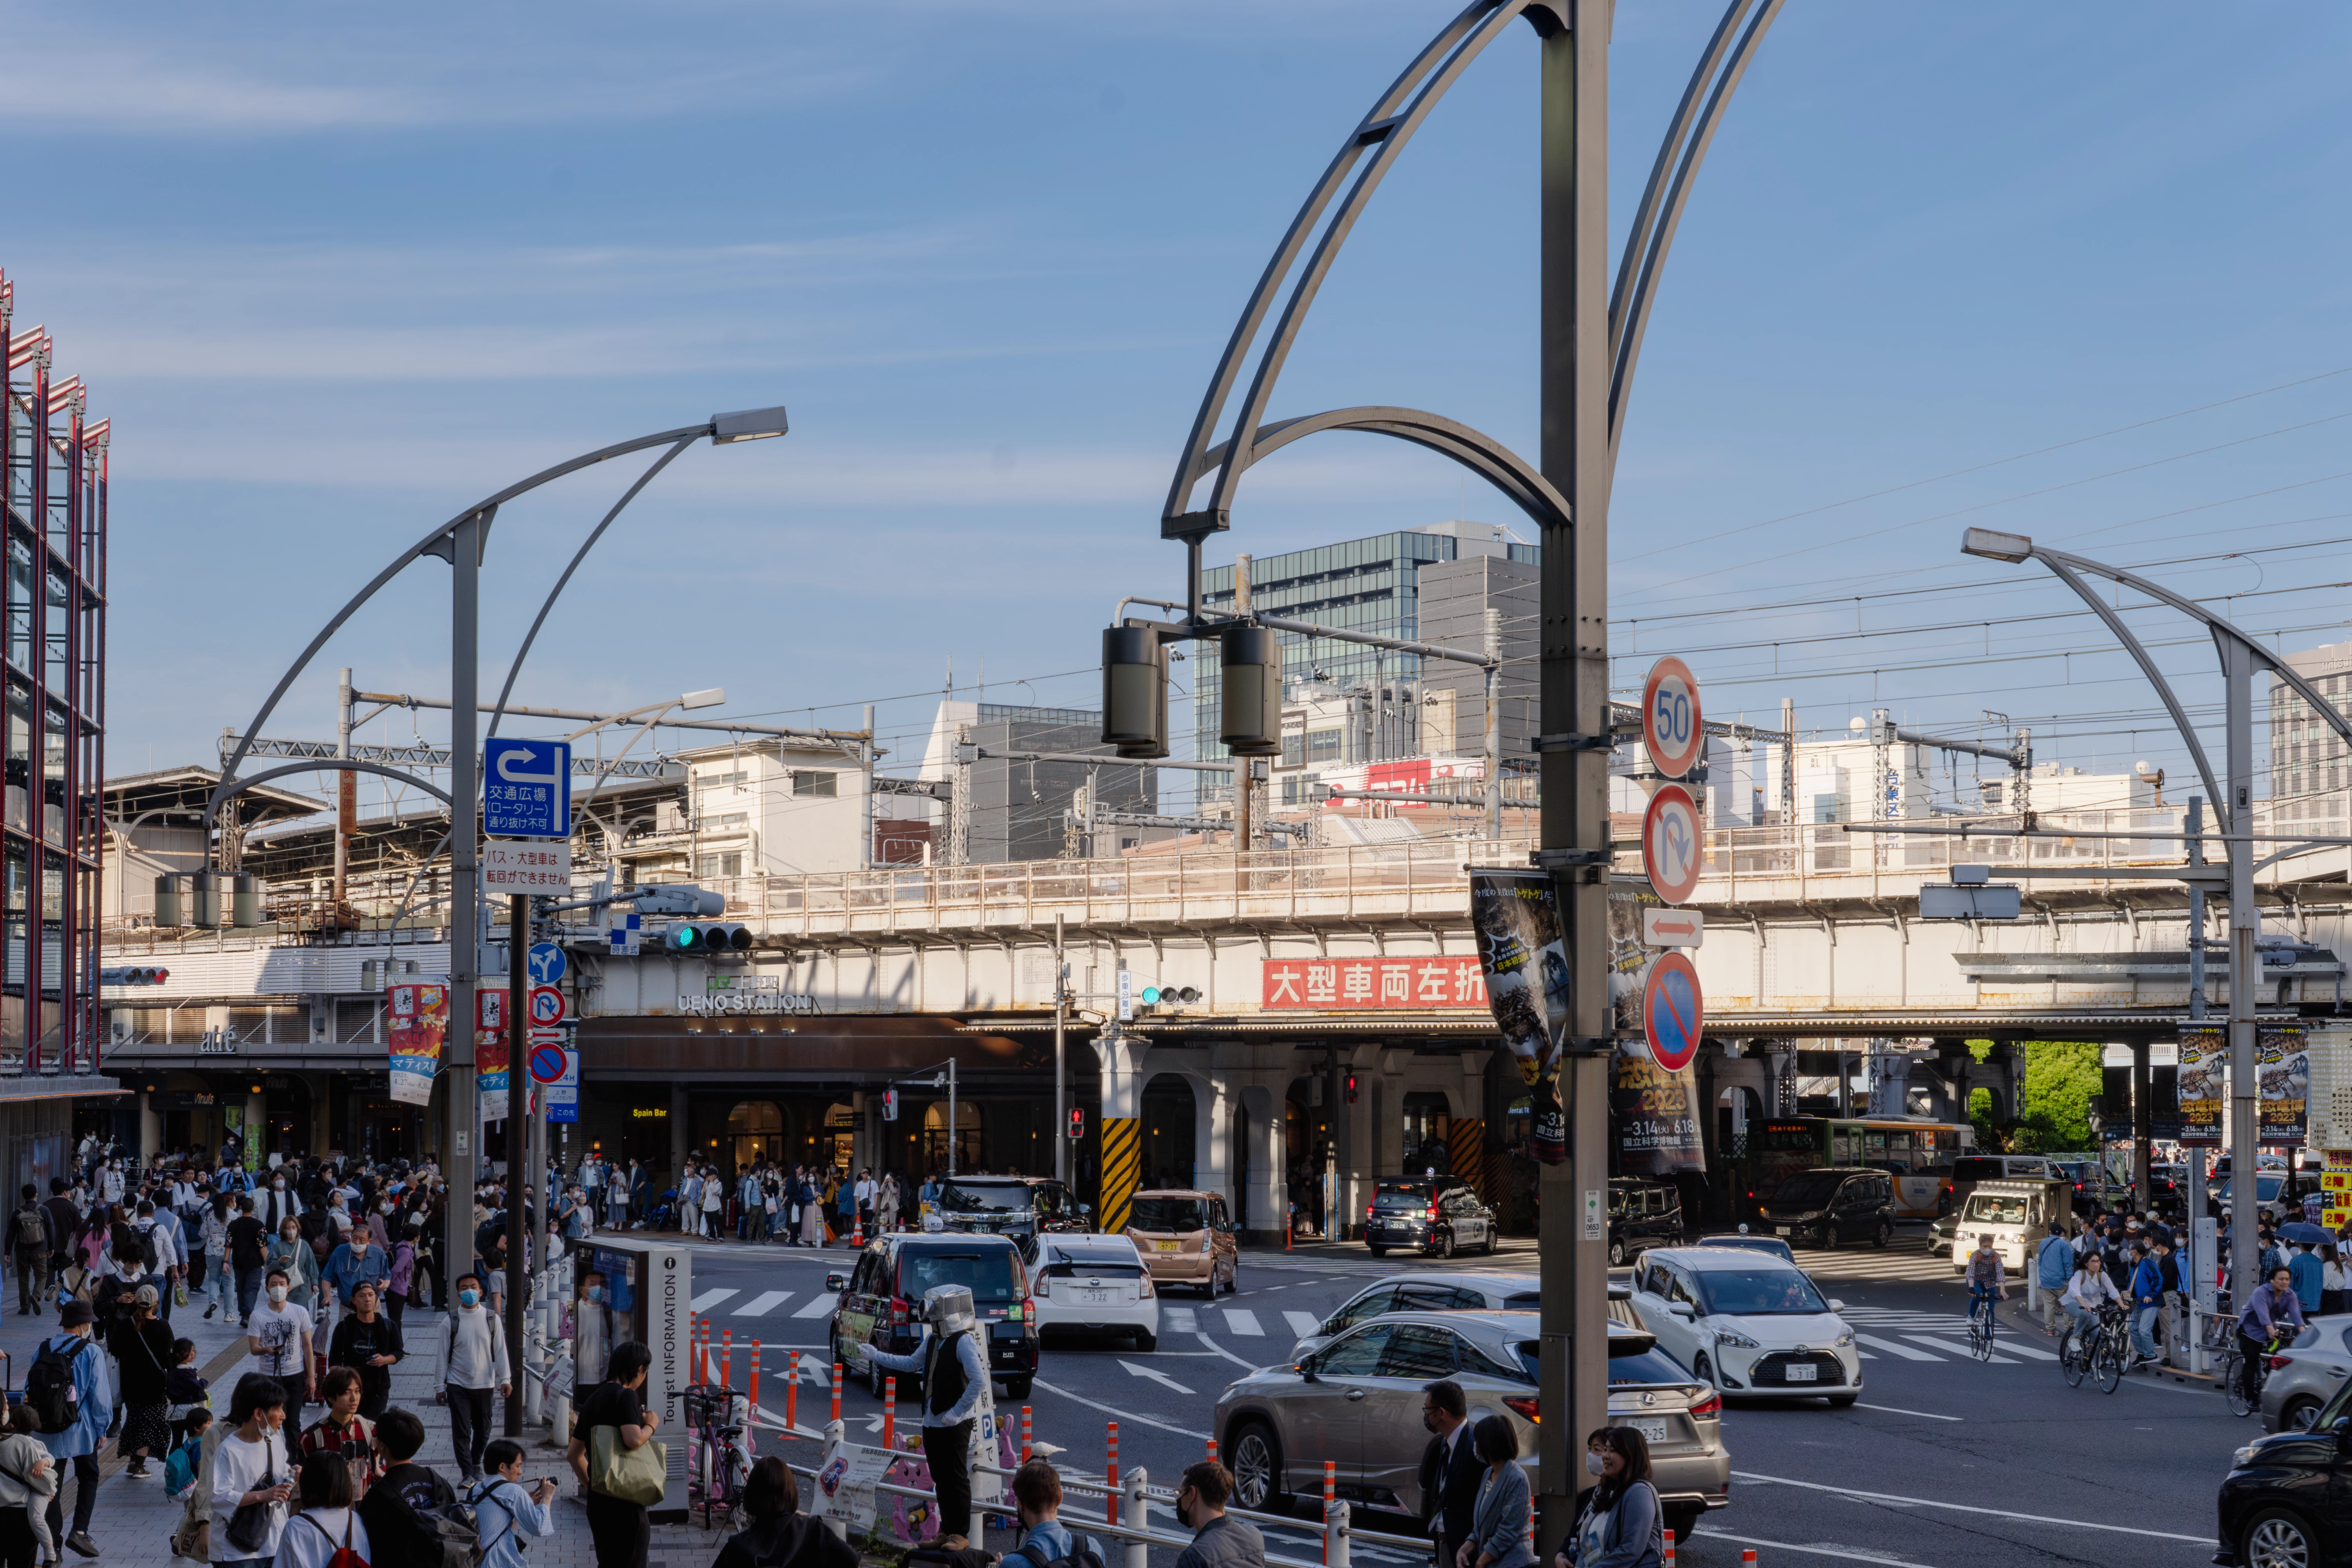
(1746, 1322)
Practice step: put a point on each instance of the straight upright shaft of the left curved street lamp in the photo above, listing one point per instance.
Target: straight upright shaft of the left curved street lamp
(465, 878)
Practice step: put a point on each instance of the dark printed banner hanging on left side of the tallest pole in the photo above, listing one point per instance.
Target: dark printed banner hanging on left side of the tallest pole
(1525, 960)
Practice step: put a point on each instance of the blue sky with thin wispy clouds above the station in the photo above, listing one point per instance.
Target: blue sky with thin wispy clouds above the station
(335, 274)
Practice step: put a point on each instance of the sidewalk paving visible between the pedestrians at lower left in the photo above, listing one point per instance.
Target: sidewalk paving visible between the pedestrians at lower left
(135, 1520)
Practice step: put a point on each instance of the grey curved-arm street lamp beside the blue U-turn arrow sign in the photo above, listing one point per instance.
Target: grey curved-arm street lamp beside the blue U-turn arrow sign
(462, 544)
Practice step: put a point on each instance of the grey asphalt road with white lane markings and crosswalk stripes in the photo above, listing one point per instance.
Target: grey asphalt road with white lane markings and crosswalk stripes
(1944, 1463)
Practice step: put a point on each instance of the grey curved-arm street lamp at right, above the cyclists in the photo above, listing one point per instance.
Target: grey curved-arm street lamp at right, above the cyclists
(2240, 657)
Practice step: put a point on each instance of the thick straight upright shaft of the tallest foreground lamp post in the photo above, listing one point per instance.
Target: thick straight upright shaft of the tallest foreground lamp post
(1575, 699)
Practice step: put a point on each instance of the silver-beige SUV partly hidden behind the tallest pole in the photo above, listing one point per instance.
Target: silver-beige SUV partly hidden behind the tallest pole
(1356, 1402)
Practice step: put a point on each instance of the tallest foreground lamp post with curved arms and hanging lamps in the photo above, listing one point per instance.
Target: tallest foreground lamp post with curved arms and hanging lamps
(1589, 344)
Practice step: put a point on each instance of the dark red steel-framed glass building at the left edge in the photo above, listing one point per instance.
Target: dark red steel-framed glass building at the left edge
(53, 664)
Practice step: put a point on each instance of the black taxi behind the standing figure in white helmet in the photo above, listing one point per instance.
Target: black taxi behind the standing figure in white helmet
(881, 1304)
